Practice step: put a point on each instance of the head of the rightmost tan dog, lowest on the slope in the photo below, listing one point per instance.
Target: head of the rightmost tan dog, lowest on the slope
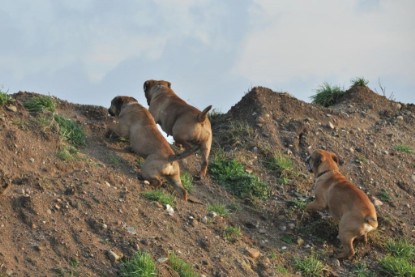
(320, 161)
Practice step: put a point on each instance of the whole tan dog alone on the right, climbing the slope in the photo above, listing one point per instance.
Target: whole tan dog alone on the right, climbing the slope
(345, 201)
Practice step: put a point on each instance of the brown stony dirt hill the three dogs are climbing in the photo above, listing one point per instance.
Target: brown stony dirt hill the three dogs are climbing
(80, 211)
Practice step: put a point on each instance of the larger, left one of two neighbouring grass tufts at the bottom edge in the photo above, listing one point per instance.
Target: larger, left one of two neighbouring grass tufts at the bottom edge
(140, 265)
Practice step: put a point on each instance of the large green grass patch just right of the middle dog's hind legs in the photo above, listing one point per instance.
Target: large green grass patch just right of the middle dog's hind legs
(231, 174)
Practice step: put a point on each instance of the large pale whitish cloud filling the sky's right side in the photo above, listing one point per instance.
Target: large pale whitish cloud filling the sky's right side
(315, 39)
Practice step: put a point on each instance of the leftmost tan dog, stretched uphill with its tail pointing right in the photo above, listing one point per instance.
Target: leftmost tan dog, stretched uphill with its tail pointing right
(136, 123)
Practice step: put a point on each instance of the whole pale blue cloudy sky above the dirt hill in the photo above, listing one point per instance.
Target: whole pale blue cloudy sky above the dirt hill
(212, 51)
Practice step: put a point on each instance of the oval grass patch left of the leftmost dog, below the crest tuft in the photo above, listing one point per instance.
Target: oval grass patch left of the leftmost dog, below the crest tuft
(70, 131)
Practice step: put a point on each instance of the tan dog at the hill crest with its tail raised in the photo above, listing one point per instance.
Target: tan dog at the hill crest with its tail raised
(189, 126)
